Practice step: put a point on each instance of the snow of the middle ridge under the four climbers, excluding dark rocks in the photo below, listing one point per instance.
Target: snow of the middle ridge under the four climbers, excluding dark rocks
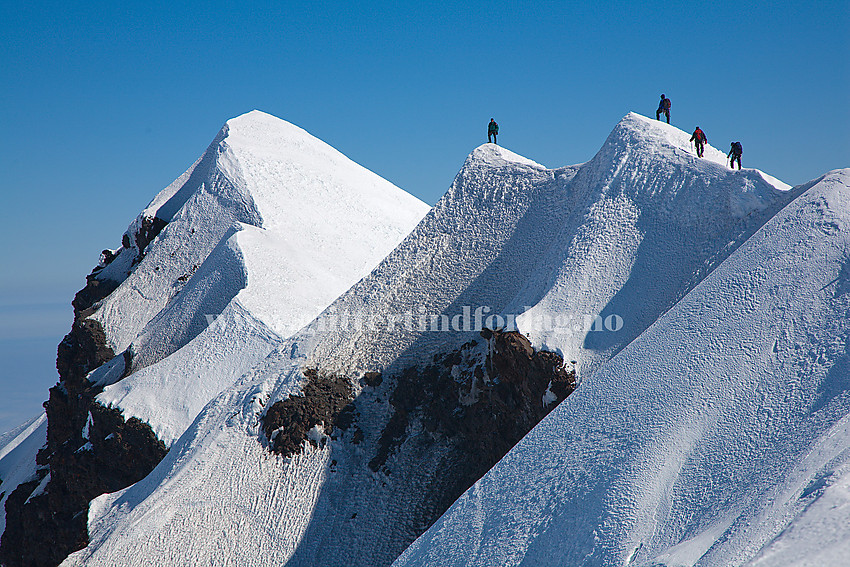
(628, 234)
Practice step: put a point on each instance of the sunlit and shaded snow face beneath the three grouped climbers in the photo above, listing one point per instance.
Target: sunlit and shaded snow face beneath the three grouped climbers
(652, 220)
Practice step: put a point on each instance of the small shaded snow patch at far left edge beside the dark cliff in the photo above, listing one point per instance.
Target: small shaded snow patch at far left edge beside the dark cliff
(18, 449)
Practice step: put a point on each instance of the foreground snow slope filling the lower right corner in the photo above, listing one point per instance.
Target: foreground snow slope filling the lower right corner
(720, 436)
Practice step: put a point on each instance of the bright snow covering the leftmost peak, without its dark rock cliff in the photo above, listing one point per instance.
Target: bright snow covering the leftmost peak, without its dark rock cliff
(266, 229)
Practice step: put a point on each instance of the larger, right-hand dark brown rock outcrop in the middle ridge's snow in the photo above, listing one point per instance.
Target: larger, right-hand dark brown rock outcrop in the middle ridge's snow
(485, 408)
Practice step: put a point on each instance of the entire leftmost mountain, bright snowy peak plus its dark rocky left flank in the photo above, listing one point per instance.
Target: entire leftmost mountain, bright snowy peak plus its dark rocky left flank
(248, 245)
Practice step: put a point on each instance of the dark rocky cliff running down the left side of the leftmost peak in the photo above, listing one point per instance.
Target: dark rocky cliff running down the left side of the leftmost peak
(90, 450)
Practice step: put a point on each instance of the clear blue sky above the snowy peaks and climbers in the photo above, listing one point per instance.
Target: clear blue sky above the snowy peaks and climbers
(106, 103)
